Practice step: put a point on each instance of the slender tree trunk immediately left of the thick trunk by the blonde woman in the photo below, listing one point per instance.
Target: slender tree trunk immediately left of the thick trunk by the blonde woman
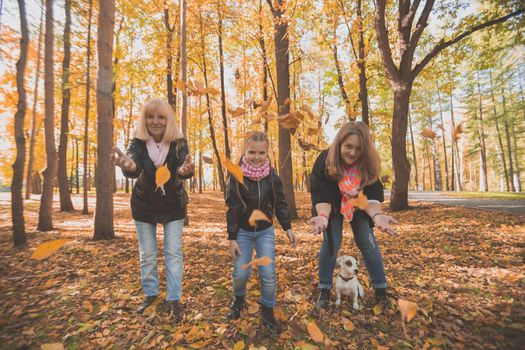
(85, 180)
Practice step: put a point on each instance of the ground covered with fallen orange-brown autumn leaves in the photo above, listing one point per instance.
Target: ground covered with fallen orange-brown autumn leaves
(463, 267)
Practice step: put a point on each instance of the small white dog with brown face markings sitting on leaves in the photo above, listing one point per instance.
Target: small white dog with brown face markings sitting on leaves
(346, 282)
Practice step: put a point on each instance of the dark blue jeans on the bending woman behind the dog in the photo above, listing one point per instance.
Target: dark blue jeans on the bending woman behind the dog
(366, 242)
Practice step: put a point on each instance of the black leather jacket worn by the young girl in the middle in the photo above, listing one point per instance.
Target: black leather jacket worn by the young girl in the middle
(267, 195)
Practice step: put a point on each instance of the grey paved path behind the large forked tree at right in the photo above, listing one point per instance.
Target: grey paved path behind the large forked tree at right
(515, 206)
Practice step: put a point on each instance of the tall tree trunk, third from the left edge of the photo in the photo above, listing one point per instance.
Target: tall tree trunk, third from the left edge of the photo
(45, 220)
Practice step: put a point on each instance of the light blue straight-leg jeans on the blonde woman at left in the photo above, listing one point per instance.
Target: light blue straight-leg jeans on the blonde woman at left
(147, 234)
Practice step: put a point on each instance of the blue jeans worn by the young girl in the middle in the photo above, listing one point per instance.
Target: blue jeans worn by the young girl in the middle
(264, 243)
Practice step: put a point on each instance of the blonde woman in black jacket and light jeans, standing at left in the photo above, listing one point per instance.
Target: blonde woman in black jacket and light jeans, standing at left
(157, 142)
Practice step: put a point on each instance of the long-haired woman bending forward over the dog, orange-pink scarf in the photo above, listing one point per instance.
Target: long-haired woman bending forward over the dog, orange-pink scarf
(350, 165)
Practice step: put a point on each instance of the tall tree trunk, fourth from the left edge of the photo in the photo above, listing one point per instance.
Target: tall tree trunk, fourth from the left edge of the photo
(63, 185)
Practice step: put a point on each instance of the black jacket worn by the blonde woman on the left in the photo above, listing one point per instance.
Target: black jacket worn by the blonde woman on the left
(148, 204)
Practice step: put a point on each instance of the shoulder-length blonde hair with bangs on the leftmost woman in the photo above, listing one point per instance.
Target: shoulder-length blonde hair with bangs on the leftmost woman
(160, 107)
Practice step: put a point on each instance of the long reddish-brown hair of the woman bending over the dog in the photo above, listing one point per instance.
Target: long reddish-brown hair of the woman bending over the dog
(369, 162)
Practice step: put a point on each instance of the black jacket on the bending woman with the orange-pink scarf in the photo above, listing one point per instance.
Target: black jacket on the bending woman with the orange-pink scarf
(324, 189)
